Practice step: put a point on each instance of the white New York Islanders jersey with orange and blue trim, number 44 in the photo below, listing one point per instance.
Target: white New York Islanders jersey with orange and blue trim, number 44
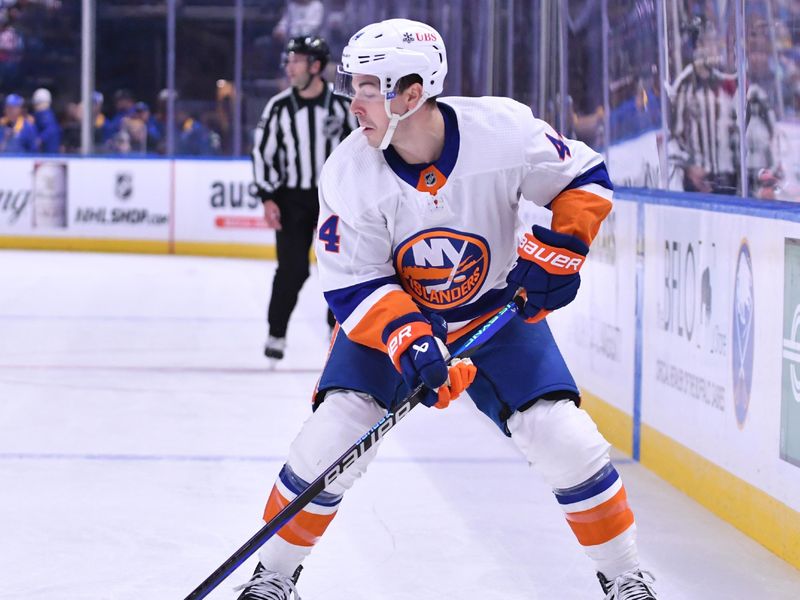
(395, 238)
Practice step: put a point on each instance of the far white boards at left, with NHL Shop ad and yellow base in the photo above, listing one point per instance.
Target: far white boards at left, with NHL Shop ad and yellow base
(129, 205)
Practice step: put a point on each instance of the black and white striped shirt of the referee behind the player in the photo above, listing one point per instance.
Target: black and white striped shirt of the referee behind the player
(294, 137)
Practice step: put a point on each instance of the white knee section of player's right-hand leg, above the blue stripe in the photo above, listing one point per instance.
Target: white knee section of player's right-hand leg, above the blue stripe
(560, 441)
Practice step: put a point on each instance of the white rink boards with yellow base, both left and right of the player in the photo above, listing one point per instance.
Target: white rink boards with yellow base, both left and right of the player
(685, 337)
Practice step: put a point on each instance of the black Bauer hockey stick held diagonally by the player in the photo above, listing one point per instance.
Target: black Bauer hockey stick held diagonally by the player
(346, 460)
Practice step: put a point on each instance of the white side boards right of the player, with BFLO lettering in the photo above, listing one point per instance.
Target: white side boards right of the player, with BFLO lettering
(686, 340)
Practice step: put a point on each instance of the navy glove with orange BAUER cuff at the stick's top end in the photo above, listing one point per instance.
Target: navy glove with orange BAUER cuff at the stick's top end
(547, 270)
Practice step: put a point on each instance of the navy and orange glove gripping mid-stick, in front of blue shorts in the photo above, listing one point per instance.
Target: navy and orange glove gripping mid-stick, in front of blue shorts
(420, 357)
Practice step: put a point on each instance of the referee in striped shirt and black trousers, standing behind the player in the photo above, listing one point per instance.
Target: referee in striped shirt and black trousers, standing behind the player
(298, 130)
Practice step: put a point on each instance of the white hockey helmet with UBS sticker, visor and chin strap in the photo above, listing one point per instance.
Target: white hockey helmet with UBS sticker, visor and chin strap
(390, 50)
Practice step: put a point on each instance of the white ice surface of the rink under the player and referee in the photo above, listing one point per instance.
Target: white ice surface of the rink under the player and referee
(140, 433)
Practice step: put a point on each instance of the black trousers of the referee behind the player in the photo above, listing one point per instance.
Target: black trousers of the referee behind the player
(299, 212)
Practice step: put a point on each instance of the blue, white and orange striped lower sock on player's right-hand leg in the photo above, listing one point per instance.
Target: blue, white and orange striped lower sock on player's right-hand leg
(597, 511)
